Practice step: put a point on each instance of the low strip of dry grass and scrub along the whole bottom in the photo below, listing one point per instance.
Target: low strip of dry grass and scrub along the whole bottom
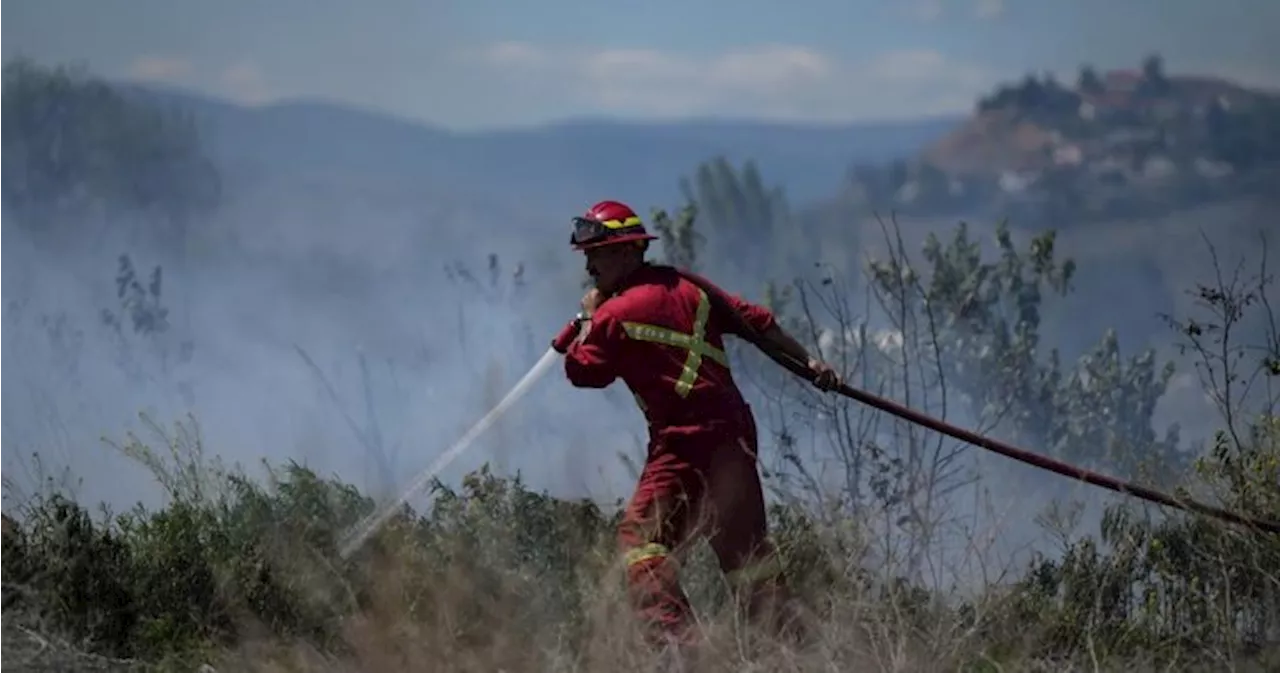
(244, 576)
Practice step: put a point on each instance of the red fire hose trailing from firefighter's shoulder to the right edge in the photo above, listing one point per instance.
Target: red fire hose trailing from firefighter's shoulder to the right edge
(802, 369)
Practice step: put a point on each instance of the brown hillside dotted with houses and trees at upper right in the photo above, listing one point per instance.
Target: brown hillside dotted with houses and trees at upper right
(1113, 145)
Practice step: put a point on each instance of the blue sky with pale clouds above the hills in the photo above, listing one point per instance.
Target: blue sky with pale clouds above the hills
(486, 63)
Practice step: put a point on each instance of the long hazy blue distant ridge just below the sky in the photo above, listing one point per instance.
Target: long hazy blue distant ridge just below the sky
(561, 163)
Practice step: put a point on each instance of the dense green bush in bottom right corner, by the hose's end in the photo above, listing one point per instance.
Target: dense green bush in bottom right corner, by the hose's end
(1178, 585)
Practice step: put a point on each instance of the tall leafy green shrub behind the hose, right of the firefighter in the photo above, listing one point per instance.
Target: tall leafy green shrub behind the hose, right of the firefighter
(988, 318)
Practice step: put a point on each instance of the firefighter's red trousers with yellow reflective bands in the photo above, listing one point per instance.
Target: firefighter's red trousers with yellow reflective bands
(701, 483)
